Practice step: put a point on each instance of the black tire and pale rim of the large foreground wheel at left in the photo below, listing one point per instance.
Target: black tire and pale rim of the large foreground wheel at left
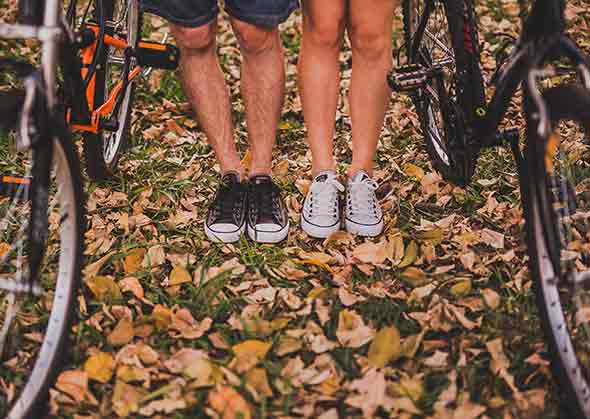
(30, 400)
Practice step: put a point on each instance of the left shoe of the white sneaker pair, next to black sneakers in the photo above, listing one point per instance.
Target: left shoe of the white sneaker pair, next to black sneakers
(321, 210)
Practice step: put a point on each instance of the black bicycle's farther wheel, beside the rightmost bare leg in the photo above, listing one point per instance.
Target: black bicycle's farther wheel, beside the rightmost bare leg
(454, 98)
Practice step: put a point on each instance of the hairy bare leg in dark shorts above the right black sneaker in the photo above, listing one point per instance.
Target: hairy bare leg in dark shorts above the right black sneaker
(263, 89)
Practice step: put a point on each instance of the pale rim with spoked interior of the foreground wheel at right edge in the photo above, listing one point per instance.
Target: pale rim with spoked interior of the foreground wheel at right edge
(564, 225)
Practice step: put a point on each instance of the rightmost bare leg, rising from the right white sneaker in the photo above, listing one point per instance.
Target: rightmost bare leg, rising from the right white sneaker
(369, 29)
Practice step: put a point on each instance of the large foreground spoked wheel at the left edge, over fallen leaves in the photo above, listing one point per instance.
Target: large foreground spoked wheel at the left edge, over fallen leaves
(36, 309)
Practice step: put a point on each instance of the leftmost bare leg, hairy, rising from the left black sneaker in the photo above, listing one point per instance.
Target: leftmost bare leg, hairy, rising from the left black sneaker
(205, 87)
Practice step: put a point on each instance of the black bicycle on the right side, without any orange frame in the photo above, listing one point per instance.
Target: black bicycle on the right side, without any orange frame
(444, 79)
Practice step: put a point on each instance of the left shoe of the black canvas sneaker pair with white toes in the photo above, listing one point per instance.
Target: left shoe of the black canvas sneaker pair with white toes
(226, 218)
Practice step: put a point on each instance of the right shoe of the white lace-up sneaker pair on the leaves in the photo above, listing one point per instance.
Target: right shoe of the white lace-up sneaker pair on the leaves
(363, 212)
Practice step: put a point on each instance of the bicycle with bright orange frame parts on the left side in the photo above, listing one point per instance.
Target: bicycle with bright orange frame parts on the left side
(89, 63)
